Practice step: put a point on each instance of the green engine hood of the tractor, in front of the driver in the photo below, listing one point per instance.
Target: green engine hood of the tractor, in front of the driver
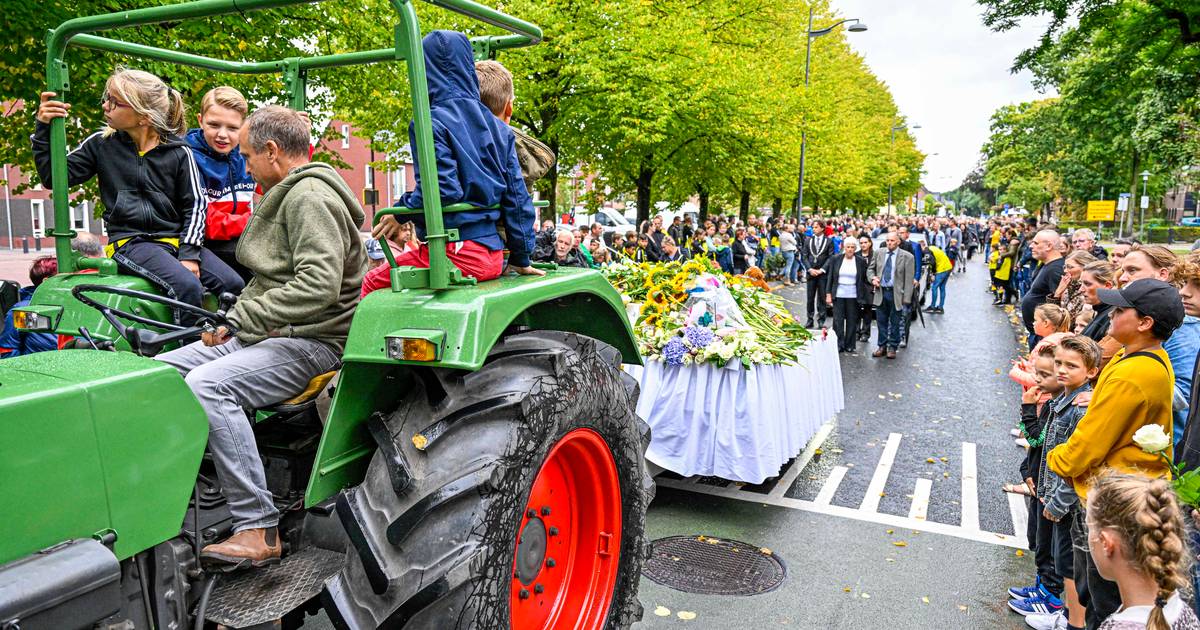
(95, 443)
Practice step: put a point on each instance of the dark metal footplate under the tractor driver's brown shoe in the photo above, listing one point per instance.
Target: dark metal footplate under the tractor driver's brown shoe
(259, 596)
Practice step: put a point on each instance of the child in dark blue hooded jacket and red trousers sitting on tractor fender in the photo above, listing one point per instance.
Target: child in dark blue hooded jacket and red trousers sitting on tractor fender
(477, 164)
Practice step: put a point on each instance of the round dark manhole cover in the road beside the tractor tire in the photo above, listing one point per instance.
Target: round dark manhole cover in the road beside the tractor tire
(713, 567)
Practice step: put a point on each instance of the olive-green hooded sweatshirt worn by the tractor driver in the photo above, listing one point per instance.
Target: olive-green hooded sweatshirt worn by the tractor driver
(304, 247)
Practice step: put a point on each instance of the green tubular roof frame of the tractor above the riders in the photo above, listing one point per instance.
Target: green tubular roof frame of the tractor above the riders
(407, 47)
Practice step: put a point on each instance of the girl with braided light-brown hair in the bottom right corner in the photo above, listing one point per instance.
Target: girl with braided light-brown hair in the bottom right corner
(1136, 537)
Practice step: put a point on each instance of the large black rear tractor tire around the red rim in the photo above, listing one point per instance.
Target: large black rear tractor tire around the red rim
(434, 530)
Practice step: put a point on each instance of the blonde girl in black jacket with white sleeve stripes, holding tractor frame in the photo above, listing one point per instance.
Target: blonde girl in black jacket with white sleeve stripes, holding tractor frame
(154, 203)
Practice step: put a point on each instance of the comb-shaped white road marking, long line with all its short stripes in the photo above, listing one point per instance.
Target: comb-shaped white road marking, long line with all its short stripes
(868, 509)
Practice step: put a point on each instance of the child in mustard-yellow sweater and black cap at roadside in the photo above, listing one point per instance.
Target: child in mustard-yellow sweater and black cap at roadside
(1136, 389)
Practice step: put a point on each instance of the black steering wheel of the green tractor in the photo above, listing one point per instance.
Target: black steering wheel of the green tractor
(146, 343)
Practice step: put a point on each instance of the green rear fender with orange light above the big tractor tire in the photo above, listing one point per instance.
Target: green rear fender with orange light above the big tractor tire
(464, 325)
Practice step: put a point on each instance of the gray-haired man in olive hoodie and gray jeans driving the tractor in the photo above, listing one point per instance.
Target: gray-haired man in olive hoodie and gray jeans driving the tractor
(289, 327)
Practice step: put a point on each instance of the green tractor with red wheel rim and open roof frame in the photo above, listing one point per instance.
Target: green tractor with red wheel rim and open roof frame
(479, 464)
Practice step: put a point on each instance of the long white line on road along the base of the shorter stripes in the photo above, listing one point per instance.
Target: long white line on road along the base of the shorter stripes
(851, 513)
